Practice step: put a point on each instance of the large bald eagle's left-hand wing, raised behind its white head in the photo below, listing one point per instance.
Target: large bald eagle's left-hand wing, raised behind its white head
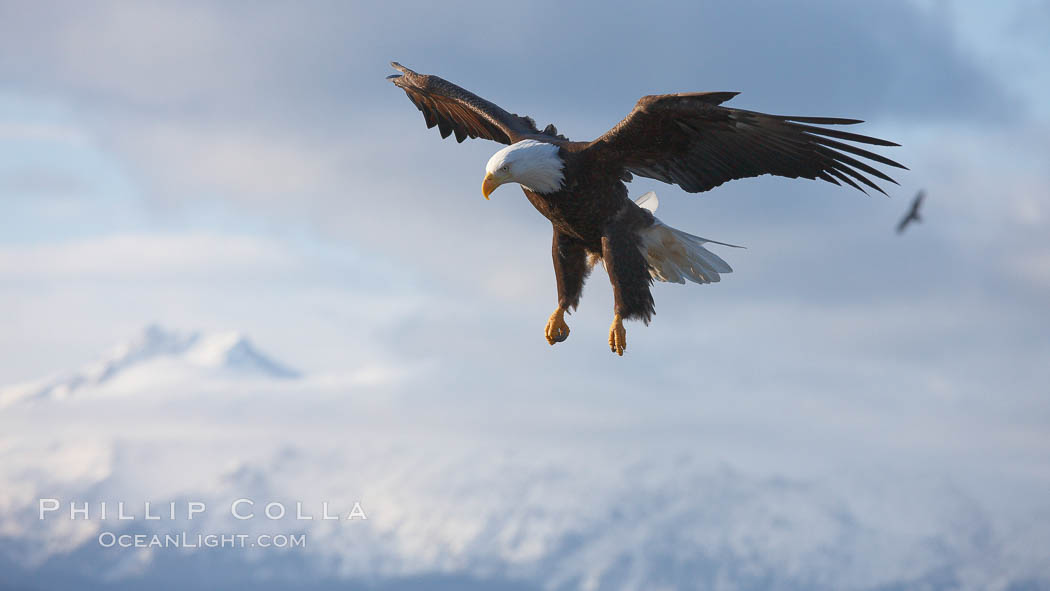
(463, 113)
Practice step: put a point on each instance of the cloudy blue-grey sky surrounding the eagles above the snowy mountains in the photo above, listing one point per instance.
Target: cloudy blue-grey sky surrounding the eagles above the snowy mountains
(247, 166)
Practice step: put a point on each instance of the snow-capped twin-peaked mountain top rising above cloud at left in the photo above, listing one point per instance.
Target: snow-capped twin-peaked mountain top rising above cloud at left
(155, 357)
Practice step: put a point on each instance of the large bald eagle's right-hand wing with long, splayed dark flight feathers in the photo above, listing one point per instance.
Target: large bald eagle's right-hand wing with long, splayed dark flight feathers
(691, 141)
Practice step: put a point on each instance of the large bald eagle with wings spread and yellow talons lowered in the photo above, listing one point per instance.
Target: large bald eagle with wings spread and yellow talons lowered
(687, 139)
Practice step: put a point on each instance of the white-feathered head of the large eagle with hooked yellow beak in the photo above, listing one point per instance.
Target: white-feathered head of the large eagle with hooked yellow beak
(534, 165)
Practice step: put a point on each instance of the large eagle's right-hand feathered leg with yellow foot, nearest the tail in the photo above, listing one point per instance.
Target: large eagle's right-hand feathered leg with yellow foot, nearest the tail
(629, 276)
